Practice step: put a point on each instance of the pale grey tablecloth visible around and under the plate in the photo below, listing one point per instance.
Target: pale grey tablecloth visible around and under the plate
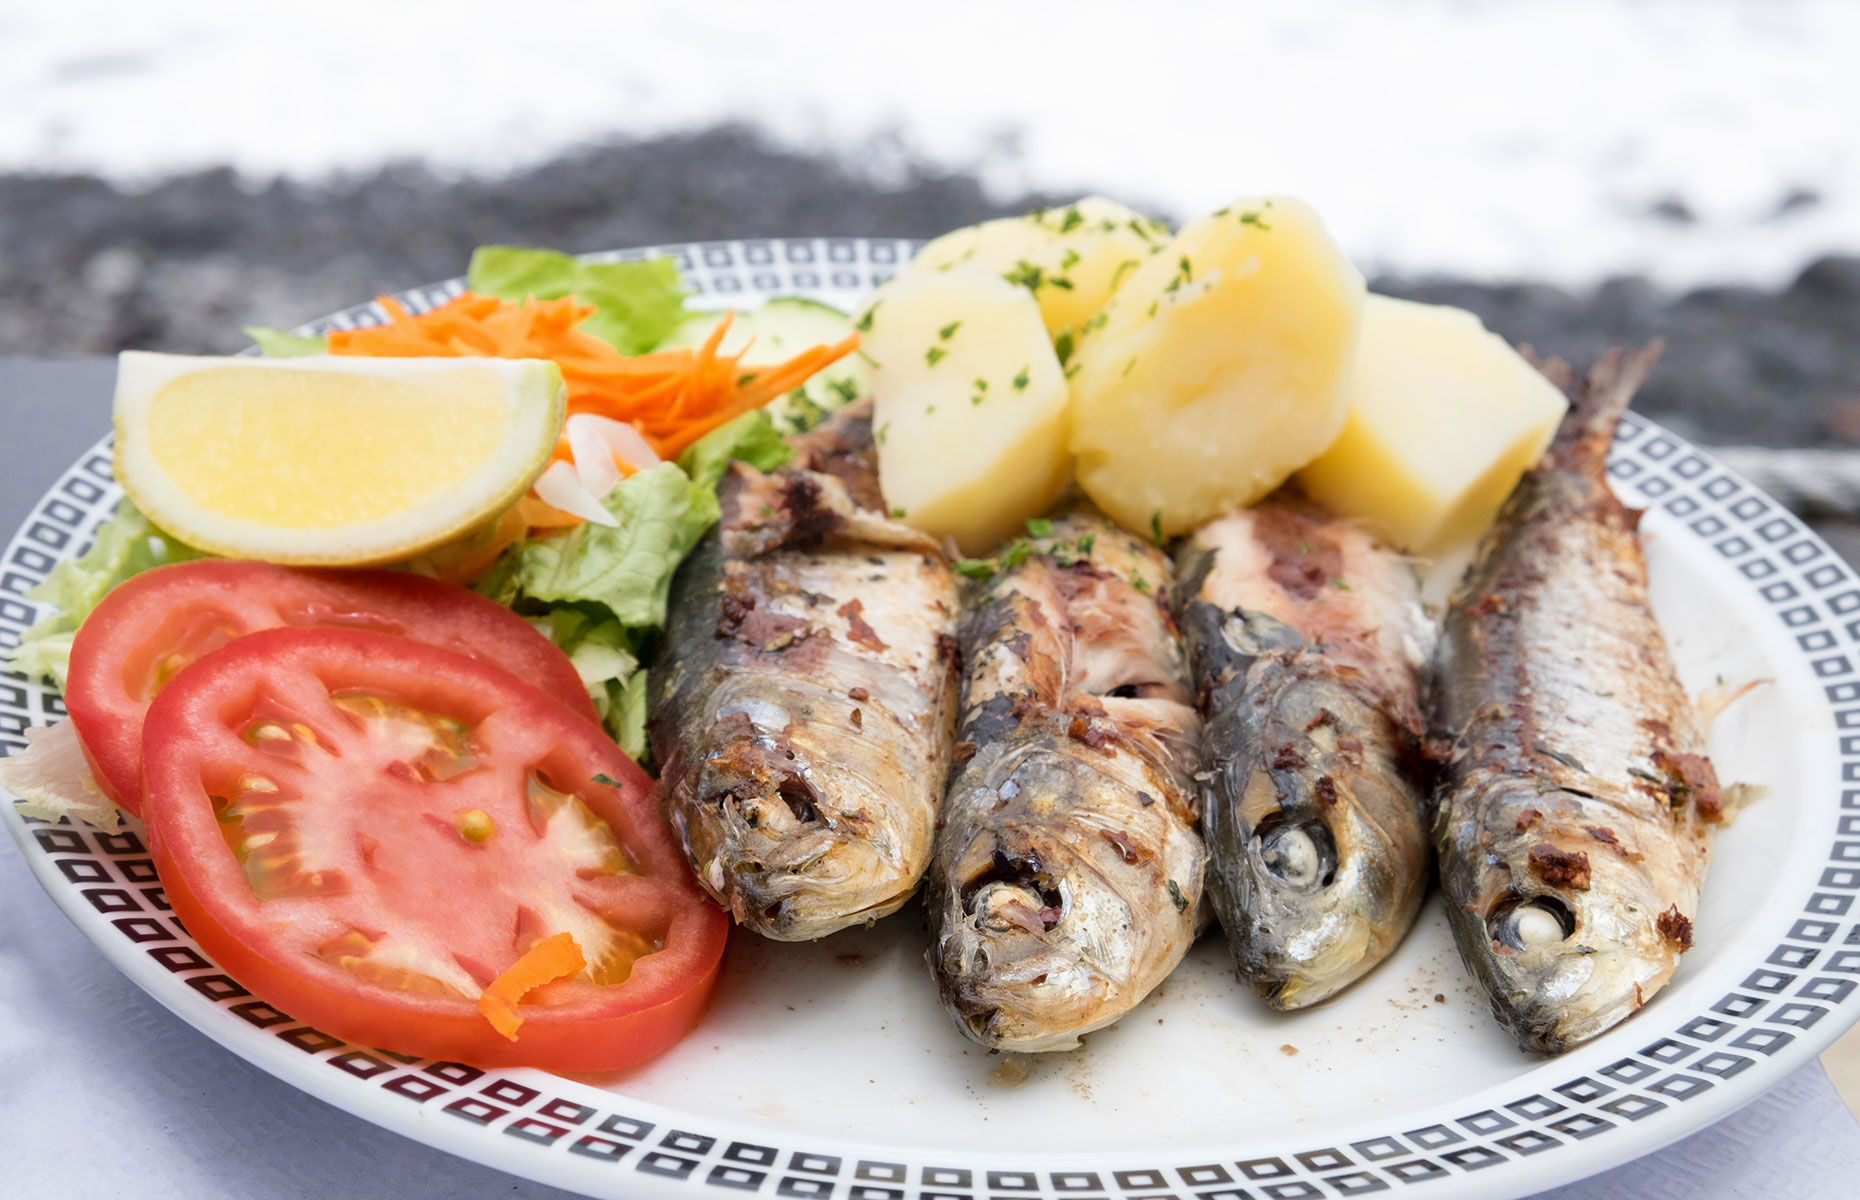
(103, 1093)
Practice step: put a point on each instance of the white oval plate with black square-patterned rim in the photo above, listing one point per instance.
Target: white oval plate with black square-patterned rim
(829, 1071)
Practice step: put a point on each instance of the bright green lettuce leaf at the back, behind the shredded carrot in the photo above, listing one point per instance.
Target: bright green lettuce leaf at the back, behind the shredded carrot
(637, 304)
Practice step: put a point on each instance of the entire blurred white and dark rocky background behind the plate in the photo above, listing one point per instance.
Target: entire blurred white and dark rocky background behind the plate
(1578, 172)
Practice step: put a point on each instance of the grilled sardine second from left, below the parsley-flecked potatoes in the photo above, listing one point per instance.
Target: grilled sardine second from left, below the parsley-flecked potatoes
(1067, 870)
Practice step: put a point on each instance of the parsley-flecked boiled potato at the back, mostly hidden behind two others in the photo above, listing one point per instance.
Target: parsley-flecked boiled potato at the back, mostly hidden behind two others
(1072, 260)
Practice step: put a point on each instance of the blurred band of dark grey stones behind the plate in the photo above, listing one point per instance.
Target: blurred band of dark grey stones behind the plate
(90, 269)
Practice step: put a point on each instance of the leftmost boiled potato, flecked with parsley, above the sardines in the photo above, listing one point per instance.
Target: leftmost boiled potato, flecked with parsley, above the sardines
(970, 405)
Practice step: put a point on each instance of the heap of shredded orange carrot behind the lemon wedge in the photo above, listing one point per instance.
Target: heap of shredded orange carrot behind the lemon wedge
(672, 397)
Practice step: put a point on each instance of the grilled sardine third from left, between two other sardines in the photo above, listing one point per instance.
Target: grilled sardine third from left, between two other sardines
(1309, 647)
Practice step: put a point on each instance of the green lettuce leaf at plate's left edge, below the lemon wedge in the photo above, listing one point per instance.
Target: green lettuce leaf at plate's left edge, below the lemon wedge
(127, 544)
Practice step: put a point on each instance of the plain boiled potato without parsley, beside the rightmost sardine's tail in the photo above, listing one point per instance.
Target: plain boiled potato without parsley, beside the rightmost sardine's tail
(1444, 420)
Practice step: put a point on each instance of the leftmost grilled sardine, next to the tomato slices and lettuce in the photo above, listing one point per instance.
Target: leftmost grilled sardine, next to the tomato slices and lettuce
(804, 706)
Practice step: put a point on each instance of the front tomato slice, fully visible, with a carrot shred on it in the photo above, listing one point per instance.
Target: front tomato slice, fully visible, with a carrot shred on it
(367, 833)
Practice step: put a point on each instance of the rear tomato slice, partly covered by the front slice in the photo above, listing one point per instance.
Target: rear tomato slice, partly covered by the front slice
(155, 624)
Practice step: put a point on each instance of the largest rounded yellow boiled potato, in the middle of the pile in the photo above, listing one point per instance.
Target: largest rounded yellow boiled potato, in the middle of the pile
(1221, 367)
